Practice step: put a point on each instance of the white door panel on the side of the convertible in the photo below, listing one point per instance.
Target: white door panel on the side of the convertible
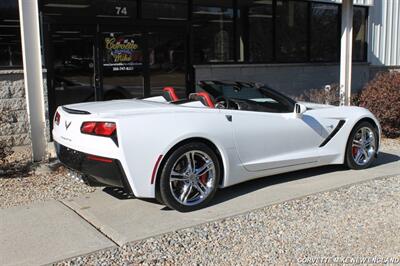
(275, 140)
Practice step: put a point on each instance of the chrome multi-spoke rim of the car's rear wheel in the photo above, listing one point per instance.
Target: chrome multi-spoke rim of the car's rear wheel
(192, 178)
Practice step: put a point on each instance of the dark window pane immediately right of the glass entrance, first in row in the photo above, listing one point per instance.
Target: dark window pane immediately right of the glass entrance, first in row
(213, 31)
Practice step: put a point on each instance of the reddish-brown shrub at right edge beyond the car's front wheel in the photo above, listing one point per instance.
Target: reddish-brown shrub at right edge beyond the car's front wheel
(382, 97)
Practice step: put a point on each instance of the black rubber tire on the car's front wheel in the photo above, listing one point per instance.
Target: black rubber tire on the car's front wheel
(350, 161)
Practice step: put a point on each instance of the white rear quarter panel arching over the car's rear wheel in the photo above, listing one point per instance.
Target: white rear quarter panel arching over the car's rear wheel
(144, 137)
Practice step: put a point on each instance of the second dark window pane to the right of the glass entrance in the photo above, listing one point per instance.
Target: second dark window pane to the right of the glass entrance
(255, 25)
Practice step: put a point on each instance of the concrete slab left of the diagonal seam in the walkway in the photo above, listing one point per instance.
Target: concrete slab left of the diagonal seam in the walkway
(46, 232)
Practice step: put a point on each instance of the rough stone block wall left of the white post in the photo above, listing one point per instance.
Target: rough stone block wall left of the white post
(14, 124)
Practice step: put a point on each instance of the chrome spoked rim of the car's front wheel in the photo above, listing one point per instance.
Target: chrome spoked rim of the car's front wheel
(363, 146)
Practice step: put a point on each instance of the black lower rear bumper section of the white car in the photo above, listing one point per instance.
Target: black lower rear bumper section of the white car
(97, 171)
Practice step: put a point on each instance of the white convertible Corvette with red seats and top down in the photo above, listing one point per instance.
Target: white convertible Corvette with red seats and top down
(181, 151)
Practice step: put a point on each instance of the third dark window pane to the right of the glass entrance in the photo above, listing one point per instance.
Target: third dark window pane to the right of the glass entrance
(291, 31)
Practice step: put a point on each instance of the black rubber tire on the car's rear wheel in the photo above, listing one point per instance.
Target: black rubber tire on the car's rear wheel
(166, 193)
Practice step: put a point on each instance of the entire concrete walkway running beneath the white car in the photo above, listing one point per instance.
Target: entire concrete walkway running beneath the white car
(52, 231)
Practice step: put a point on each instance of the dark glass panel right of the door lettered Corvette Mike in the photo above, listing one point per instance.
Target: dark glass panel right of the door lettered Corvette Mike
(167, 61)
